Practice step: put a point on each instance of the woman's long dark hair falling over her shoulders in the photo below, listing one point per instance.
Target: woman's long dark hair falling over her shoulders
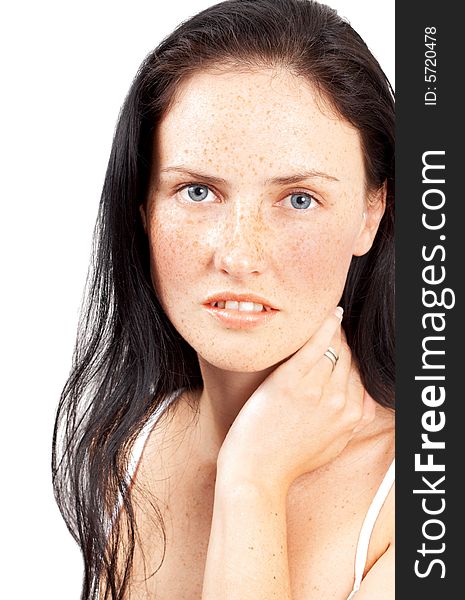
(128, 356)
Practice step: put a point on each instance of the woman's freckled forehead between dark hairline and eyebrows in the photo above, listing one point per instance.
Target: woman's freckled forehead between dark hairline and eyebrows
(241, 121)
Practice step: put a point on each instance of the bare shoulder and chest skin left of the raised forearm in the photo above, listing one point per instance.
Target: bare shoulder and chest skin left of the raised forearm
(172, 497)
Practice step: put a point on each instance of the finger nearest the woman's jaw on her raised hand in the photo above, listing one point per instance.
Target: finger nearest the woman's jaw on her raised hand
(311, 352)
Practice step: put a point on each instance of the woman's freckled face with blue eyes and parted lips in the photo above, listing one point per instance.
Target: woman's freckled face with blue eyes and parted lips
(257, 190)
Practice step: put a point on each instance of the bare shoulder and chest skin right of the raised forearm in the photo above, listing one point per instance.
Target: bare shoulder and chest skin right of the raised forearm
(327, 509)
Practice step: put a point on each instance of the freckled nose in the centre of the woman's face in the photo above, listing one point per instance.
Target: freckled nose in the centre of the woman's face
(241, 243)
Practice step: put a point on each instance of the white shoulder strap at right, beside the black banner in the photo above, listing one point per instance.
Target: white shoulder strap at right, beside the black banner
(368, 525)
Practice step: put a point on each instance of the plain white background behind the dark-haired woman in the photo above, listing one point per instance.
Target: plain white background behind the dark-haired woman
(66, 67)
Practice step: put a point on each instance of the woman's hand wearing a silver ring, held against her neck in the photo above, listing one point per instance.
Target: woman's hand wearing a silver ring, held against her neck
(300, 418)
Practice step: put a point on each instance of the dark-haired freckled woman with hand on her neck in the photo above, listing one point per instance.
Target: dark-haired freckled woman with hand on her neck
(226, 431)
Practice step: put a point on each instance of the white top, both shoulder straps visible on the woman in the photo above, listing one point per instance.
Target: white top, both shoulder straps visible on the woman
(368, 523)
